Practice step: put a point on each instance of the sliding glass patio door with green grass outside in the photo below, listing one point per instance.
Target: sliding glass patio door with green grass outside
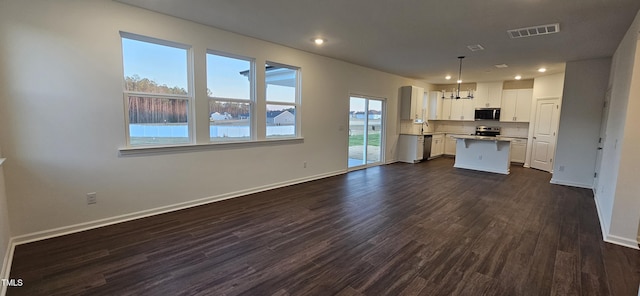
(366, 136)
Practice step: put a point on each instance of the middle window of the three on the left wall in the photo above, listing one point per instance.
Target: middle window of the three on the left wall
(230, 92)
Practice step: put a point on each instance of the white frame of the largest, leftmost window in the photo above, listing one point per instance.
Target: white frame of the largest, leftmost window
(189, 97)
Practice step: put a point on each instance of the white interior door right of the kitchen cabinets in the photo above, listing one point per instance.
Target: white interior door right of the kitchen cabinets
(544, 134)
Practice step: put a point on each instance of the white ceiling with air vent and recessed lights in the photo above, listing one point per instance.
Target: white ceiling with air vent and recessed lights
(420, 38)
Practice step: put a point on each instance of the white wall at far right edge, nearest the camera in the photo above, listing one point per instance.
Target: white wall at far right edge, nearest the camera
(617, 192)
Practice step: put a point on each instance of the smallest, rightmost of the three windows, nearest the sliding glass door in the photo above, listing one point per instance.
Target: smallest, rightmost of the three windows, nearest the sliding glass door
(282, 100)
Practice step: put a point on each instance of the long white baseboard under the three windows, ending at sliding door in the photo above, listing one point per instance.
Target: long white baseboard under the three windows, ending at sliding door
(50, 233)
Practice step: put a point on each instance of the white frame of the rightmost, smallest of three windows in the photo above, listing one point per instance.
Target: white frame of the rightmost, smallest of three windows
(297, 104)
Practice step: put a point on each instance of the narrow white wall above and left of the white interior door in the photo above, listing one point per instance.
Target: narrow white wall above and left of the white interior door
(544, 87)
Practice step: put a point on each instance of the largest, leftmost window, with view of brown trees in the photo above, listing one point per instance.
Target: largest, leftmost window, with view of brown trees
(157, 92)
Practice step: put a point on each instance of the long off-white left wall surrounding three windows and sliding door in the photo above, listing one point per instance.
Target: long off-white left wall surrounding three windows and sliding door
(62, 119)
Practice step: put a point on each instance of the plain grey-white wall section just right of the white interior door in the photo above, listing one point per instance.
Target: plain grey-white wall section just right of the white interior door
(585, 86)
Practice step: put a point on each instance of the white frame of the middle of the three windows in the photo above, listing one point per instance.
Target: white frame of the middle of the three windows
(251, 100)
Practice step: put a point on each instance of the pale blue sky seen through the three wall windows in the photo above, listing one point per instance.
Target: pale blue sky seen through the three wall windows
(168, 65)
